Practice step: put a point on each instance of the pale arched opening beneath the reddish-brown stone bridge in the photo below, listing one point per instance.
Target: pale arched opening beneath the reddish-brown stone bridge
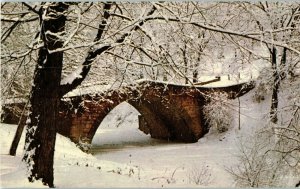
(120, 128)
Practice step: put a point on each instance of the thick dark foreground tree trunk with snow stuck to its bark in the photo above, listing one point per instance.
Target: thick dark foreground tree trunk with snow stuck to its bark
(45, 98)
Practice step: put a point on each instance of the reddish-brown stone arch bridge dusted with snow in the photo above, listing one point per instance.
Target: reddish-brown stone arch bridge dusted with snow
(167, 111)
